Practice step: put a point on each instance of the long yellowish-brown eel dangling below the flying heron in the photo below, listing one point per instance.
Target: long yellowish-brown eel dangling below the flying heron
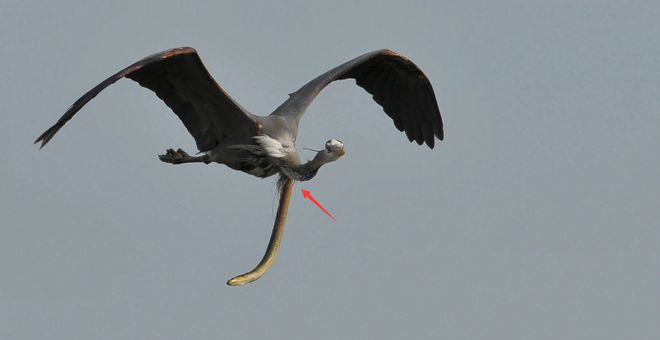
(275, 240)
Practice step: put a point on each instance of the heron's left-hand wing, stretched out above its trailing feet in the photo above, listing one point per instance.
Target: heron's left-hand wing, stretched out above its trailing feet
(179, 78)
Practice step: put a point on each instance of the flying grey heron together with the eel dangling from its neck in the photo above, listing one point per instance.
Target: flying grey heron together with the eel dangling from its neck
(263, 146)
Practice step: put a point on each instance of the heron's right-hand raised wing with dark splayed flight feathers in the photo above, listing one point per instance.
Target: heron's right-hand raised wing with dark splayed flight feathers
(395, 82)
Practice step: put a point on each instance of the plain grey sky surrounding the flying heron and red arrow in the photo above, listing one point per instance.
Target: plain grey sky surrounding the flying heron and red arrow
(535, 219)
